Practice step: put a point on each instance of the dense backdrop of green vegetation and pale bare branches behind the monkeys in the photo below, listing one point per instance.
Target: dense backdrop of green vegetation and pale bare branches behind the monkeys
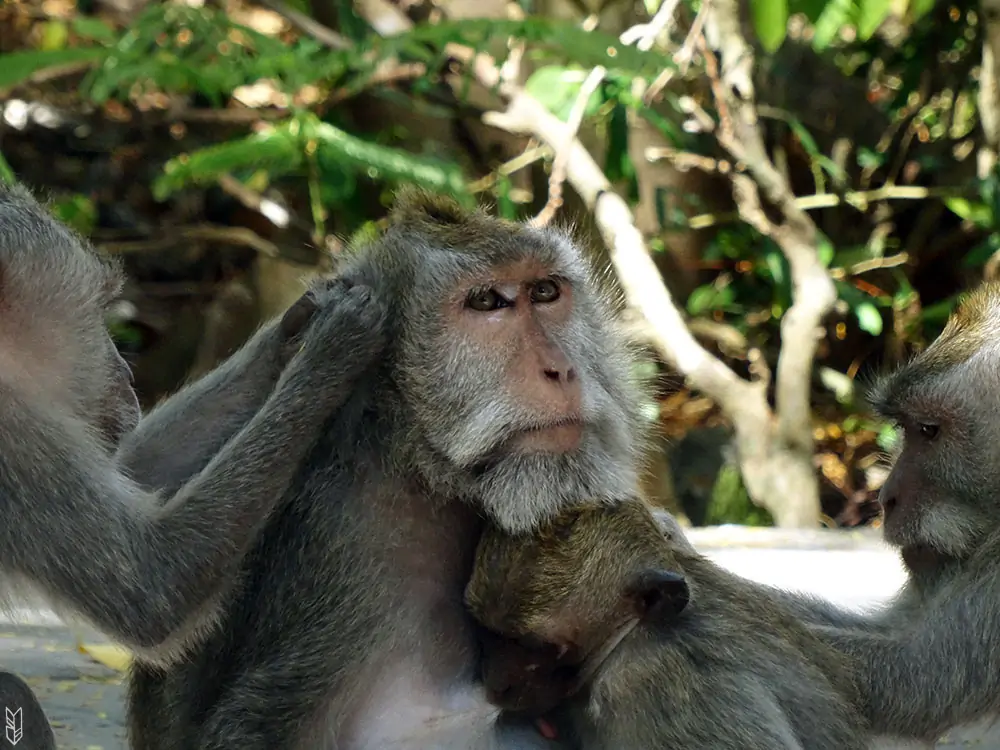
(226, 149)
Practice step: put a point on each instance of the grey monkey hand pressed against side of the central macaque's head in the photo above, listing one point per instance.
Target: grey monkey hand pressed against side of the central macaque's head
(344, 335)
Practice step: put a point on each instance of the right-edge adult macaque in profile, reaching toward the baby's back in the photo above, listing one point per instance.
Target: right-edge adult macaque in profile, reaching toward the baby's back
(934, 662)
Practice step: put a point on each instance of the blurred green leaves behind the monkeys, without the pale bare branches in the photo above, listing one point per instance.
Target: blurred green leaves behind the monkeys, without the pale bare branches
(910, 66)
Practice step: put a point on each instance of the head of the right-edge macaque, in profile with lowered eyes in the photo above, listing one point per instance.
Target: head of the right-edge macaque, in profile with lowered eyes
(943, 493)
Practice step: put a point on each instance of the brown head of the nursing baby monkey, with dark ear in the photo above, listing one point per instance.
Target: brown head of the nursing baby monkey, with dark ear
(557, 603)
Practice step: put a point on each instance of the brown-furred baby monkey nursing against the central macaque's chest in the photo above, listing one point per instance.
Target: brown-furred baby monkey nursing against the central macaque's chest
(611, 619)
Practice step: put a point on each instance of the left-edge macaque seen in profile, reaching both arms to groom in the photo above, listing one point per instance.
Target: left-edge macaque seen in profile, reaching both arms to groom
(146, 568)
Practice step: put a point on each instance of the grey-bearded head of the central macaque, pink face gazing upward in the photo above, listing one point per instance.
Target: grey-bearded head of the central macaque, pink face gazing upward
(516, 390)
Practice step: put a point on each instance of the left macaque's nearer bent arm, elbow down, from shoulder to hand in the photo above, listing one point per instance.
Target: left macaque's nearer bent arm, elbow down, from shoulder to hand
(87, 536)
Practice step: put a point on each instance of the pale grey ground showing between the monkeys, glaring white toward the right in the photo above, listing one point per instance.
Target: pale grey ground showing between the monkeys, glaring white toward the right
(84, 699)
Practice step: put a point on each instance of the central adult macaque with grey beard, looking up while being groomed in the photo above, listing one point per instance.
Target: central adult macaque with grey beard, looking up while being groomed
(505, 393)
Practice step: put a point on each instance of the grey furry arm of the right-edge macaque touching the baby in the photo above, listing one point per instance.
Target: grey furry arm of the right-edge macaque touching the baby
(939, 670)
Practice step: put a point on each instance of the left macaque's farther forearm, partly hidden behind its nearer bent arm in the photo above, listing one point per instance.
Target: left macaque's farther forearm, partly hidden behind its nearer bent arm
(180, 435)
